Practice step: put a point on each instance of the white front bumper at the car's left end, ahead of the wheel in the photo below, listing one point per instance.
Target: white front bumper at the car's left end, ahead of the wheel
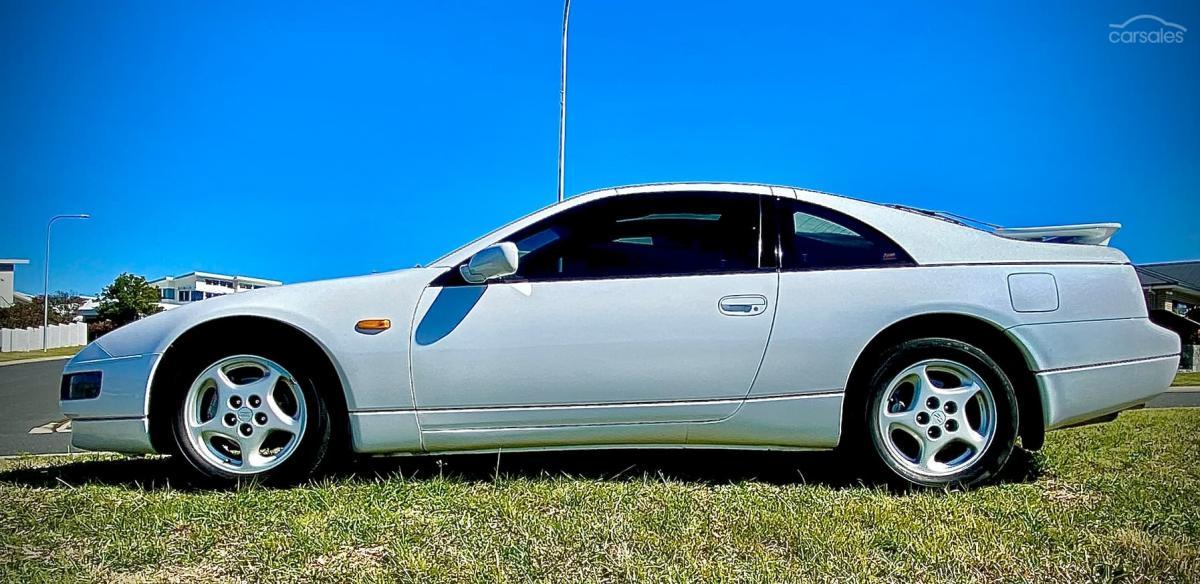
(118, 419)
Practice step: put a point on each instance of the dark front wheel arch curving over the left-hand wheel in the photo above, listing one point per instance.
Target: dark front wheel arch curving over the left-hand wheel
(298, 340)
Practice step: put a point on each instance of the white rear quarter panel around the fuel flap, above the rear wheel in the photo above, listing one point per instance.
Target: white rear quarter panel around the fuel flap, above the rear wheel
(819, 336)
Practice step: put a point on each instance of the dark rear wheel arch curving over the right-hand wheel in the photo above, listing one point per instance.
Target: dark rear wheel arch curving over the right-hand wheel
(1012, 357)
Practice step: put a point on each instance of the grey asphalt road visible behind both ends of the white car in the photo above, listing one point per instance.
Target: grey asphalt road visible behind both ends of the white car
(29, 399)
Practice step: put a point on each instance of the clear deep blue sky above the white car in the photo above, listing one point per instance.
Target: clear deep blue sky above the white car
(304, 141)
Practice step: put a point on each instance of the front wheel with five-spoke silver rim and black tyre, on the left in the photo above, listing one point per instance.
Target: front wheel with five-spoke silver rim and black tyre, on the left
(250, 416)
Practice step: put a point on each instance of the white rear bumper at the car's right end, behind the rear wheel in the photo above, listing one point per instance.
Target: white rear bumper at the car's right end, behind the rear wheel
(1078, 395)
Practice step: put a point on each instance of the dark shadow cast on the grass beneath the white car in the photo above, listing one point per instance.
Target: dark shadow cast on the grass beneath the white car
(703, 467)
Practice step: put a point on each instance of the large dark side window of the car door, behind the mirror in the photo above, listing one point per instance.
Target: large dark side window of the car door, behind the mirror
(657, 234)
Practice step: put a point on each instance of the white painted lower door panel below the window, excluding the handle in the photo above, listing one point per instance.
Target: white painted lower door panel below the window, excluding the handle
(626, 350)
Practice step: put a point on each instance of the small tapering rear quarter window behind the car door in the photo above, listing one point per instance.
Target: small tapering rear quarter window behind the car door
(817, 238)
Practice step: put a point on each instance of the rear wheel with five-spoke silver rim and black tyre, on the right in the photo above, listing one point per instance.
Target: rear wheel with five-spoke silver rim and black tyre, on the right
(940, 413)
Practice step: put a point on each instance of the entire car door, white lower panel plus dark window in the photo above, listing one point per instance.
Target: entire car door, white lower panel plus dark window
(628, 310)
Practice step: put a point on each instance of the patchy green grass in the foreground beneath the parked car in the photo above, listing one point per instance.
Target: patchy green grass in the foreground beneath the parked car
(1111, 503)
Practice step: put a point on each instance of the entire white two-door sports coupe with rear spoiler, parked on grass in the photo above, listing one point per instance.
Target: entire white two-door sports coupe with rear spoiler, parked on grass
(667, 316)
